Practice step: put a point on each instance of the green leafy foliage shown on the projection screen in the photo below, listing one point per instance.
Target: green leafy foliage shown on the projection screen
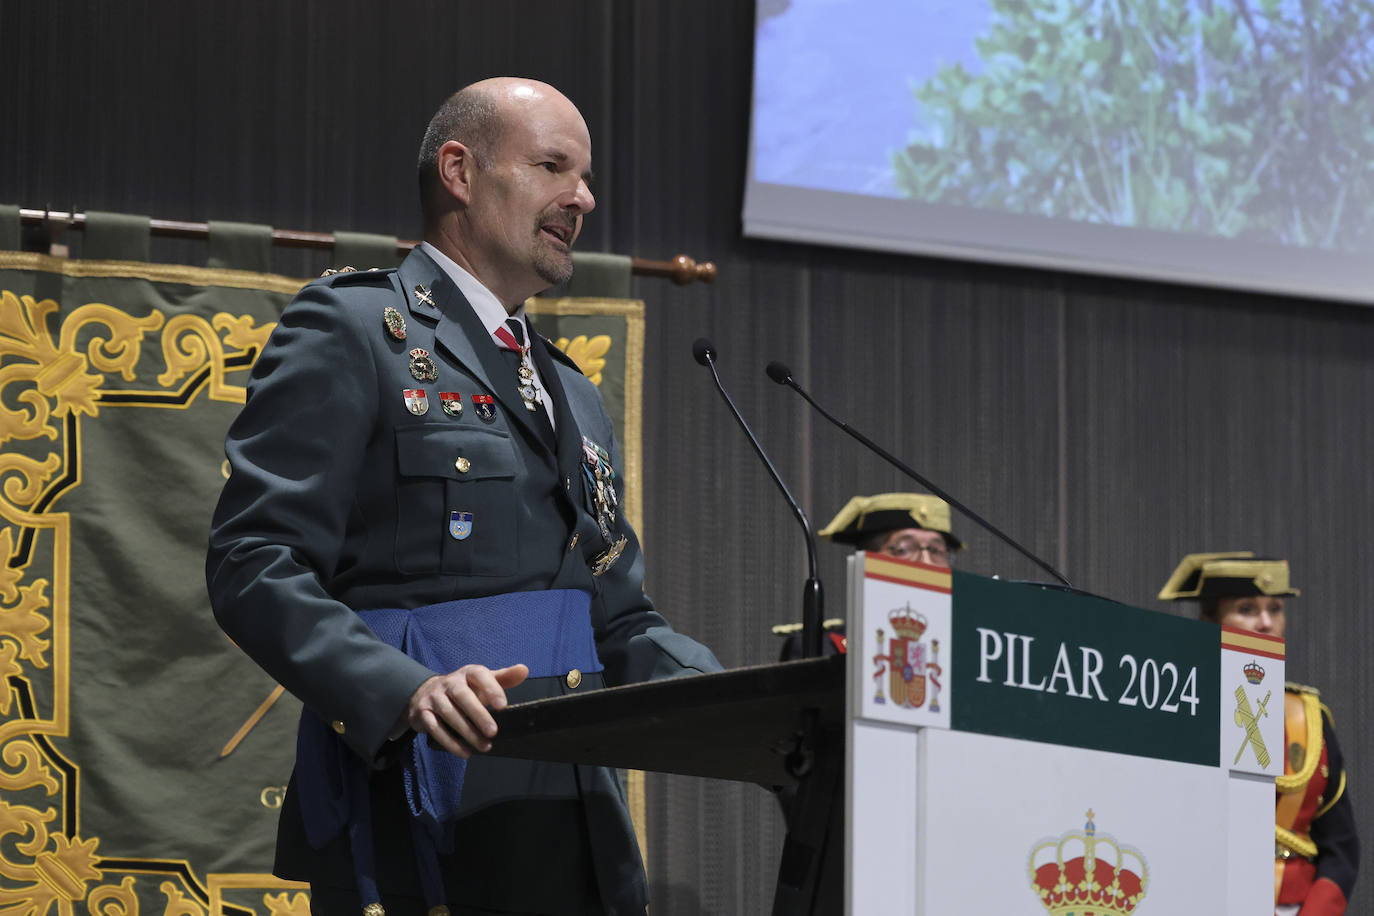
(1222, 117)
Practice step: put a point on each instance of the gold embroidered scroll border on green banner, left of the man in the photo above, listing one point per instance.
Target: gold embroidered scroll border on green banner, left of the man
(50, 381)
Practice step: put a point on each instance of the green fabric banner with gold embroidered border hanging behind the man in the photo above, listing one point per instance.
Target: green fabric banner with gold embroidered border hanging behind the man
(145, 757)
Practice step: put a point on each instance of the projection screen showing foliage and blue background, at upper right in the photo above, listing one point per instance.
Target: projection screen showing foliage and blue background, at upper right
(1213, 142)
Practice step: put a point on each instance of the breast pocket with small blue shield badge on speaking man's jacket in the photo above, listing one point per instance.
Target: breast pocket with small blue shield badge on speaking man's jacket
(455, 503)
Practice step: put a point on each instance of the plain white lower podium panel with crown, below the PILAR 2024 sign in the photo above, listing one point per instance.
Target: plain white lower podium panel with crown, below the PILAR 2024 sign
(1011, 826)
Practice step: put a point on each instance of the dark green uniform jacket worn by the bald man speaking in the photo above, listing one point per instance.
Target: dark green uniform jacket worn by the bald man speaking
(340, 499)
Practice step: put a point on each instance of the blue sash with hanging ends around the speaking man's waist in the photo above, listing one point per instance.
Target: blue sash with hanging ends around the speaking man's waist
(548, 631)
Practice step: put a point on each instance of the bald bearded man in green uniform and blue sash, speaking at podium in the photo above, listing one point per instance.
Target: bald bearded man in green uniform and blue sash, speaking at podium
(423, 525)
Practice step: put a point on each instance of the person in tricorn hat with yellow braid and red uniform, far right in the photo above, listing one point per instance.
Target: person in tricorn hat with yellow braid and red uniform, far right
(1317, 851)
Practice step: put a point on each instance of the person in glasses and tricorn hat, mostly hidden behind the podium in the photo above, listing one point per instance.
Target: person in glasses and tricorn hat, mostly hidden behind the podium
(909, 527)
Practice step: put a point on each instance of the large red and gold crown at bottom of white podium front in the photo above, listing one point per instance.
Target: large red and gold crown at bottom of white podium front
(1088, 874)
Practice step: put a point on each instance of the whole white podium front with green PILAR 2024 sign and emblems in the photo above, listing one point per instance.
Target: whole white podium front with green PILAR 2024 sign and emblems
(1015, 749)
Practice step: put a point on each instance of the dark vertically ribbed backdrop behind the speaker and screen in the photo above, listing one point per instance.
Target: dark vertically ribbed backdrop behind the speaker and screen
(1110, 425)
